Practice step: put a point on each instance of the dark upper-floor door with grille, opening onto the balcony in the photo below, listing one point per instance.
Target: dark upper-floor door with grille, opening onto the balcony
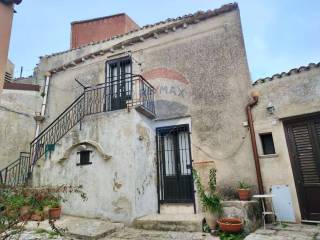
(119, 83)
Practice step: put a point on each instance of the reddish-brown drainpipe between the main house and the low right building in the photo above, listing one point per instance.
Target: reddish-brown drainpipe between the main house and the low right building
(250, 105)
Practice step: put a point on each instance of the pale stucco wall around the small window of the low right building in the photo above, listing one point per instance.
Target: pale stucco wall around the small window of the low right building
(292, 95)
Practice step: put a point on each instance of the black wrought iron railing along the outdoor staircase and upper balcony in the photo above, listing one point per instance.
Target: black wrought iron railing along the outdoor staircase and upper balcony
(117, 93)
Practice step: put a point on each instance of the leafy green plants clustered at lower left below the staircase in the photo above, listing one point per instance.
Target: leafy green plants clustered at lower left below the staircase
(13, 200)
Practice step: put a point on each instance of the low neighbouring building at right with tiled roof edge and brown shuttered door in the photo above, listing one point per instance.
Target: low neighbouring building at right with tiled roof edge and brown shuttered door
(287, 124)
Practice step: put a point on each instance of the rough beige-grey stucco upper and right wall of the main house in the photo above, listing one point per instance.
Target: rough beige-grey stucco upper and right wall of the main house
(199, 71)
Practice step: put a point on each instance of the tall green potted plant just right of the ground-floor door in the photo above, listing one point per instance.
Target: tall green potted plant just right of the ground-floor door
(209, 199)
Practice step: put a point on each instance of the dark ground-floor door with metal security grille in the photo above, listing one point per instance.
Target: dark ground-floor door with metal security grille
(174, 165)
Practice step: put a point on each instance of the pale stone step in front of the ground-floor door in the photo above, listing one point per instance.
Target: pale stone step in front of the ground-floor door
(170, 222)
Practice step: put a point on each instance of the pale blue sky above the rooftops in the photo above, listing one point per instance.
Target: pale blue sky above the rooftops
(279, 34)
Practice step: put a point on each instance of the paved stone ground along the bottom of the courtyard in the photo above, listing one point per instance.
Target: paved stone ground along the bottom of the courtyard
(279, 232)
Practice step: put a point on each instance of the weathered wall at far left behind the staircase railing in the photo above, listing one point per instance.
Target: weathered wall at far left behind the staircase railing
(17, 126)
